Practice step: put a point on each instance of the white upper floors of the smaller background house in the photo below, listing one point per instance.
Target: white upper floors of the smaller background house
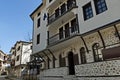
(21, 53)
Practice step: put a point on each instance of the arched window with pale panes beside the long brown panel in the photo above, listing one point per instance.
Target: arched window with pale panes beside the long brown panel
(97, 52)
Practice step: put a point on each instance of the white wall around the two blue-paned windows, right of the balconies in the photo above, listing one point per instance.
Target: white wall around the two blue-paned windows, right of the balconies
(110, 15)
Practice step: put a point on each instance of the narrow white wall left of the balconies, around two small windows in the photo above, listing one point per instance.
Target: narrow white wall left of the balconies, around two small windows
(42, 30)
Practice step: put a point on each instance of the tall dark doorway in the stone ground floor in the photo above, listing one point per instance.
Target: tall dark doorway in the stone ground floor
(71, 64)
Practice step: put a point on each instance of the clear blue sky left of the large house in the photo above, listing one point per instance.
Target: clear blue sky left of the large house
(15, 22)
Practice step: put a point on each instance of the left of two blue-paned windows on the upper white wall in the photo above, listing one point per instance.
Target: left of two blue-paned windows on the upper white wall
(87, 11)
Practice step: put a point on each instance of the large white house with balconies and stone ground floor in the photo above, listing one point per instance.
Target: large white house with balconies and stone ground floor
(77, 39)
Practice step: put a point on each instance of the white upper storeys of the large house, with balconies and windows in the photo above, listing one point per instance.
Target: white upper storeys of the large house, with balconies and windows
(61, 20)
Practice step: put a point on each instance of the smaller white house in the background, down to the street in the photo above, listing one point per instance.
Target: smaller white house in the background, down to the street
(20, 56)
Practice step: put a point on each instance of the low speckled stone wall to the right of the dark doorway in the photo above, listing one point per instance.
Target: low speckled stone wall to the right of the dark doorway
(105, 68)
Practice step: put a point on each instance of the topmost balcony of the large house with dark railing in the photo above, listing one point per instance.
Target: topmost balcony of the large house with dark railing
(59, 12)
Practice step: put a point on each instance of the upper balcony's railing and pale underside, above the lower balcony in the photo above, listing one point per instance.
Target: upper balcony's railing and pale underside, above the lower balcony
(62, 17)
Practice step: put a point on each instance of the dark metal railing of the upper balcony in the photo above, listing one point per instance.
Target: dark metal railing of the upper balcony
(61, 12)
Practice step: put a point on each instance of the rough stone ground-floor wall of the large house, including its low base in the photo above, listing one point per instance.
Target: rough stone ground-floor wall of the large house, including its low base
(104, 70)
